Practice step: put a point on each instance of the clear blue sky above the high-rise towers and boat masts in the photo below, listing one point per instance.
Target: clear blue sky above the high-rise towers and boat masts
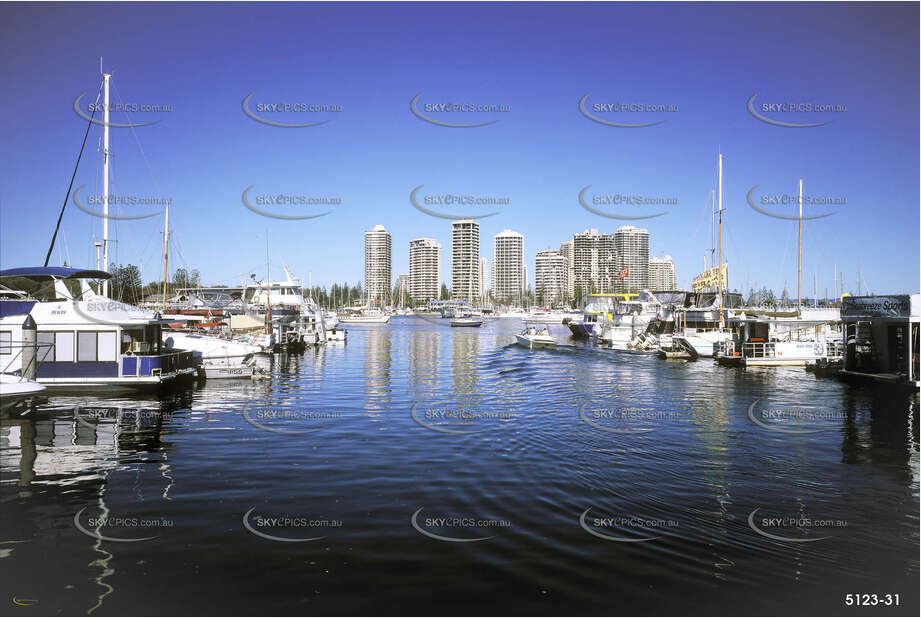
(537, 59)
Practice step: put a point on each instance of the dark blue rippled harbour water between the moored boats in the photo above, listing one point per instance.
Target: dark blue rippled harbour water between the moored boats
(350, 441)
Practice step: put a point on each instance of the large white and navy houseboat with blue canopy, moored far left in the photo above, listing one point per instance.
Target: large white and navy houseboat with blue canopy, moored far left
(87, 341)
